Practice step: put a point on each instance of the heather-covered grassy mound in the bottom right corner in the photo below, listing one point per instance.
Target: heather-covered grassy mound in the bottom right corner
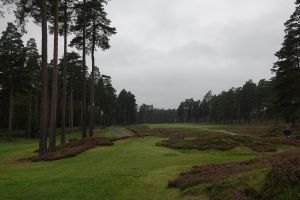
(274, 178)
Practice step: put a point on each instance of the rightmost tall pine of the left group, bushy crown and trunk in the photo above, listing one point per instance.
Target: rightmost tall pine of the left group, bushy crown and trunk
(92, 30)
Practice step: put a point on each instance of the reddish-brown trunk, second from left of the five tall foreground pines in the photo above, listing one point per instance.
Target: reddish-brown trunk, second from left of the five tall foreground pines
(52, 139)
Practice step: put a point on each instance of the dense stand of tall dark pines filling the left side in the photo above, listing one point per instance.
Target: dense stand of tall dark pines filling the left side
(37, 96)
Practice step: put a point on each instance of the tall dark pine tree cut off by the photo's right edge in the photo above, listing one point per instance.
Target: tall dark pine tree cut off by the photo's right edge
(287, 69)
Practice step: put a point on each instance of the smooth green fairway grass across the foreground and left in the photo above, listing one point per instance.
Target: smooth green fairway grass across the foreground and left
(131, 169)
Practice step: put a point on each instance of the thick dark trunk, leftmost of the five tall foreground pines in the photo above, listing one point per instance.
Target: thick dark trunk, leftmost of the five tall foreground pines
(44, 87)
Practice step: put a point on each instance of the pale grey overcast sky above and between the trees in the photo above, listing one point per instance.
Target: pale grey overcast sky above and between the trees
(168, 50)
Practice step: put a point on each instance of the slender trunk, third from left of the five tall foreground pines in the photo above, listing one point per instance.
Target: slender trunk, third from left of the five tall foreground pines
(63, 123)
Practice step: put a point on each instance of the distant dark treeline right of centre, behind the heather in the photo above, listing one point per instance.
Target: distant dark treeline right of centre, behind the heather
(250, 103)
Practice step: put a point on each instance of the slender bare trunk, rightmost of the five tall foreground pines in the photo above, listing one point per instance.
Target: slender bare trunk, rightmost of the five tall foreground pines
(92, 86)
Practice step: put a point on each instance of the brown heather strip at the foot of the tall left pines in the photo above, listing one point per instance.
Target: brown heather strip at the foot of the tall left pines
(73, 148)
